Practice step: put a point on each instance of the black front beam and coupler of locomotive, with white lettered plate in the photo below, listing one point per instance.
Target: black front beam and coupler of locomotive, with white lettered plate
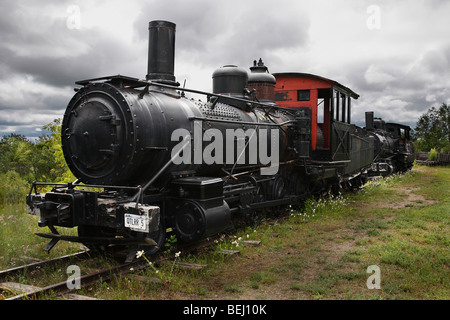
(66, 206)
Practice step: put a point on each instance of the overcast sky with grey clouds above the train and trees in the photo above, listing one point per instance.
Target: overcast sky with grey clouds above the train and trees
(394, 54)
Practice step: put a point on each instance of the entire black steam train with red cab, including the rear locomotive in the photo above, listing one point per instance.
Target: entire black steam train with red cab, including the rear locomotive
(149, 159)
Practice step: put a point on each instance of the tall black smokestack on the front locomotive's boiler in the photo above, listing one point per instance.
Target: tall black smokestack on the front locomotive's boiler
(161, 51)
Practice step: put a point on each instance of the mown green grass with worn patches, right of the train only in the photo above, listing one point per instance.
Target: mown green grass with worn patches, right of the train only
(323, 251)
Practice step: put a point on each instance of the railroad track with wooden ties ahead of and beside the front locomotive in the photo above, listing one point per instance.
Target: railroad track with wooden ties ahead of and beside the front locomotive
(63, 289)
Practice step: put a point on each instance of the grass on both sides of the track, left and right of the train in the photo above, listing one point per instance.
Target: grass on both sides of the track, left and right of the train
(399, 224)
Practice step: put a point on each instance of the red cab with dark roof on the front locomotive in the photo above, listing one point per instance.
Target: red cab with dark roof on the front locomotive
(333, 137)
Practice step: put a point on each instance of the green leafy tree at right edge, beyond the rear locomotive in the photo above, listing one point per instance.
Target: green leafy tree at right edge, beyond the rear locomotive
(433, 130)
